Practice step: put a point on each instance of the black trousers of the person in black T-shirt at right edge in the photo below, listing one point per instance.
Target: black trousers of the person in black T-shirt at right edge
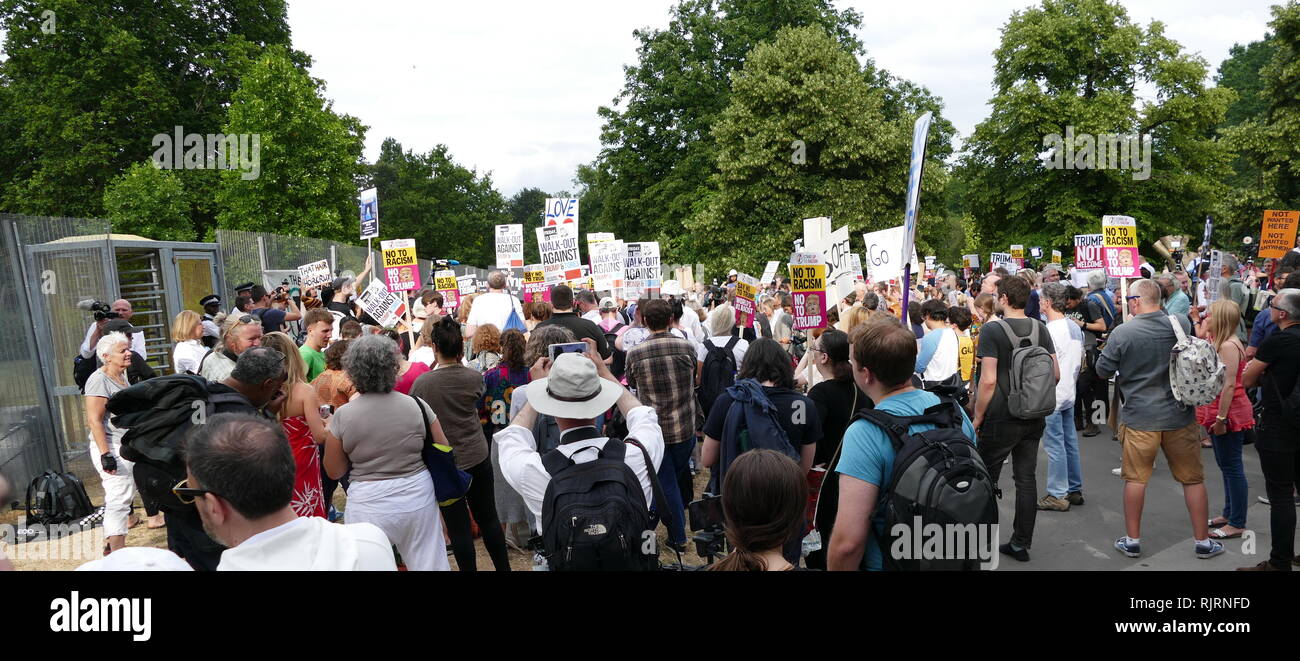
(1280, 460)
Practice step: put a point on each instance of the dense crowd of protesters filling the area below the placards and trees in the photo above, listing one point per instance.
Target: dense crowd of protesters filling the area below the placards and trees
(345, 404)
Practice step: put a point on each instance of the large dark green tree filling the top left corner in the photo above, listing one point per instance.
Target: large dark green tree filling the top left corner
(83, 96)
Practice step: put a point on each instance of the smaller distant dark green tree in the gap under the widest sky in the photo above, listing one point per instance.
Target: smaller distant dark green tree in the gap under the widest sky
(448, 209)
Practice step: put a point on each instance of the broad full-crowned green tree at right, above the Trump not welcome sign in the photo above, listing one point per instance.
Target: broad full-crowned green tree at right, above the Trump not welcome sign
(1078, 63)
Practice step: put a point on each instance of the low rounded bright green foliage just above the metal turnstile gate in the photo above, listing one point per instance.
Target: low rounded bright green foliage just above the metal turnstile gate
(149, 202)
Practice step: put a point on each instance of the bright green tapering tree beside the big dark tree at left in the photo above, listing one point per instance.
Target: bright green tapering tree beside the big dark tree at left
(304, 182)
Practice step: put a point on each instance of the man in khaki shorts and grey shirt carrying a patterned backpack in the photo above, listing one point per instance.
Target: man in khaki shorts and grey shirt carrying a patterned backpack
(1151, 420)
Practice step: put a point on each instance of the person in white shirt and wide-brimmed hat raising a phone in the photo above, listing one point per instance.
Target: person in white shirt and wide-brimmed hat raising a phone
(575, 390)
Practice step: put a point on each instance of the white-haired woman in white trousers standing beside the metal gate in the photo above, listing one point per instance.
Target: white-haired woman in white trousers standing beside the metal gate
(106, 439)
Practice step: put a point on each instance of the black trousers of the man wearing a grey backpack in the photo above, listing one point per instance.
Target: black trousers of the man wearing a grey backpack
(1019, 439)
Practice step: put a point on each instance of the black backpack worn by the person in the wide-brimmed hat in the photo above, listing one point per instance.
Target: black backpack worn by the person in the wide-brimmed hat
(595, 516)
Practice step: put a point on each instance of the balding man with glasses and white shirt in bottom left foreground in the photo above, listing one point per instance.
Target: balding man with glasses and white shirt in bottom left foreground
(241, 478)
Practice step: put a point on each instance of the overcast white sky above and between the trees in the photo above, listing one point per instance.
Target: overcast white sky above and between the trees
(513, 87)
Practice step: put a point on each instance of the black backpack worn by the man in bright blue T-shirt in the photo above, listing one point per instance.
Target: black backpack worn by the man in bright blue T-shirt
(938, 478)
